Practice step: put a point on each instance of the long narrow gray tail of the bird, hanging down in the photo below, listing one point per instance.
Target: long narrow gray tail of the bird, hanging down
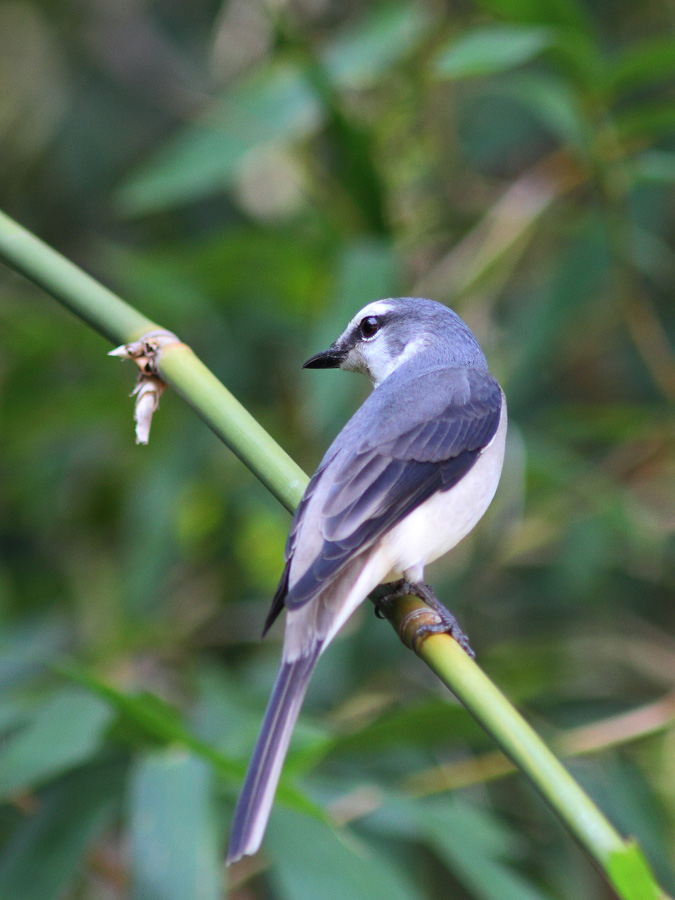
(257, 795)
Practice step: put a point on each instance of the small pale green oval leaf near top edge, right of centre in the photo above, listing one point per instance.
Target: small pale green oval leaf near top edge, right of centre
(493, 49)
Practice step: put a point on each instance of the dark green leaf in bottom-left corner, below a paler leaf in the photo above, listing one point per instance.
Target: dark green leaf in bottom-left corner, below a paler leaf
(45, 851)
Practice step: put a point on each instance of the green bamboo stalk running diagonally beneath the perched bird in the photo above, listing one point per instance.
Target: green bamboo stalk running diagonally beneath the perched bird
(620, 860)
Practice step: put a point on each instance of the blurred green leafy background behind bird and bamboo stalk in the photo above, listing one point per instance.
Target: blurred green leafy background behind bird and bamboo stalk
(250, 174)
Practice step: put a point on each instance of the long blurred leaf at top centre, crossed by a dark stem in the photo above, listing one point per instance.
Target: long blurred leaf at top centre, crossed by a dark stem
(277, 104)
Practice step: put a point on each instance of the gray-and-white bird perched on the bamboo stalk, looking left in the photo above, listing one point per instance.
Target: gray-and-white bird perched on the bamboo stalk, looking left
(406, 479)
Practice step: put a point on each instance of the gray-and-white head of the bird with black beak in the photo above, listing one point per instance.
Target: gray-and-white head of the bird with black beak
(388, 333)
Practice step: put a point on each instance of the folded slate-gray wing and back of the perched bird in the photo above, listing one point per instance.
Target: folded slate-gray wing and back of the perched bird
(408, 441)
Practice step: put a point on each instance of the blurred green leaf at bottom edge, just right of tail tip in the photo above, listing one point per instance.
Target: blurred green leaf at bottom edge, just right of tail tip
(310, 861)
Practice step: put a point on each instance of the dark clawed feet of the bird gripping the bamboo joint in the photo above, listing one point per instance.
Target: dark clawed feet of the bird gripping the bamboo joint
(442, 622)
